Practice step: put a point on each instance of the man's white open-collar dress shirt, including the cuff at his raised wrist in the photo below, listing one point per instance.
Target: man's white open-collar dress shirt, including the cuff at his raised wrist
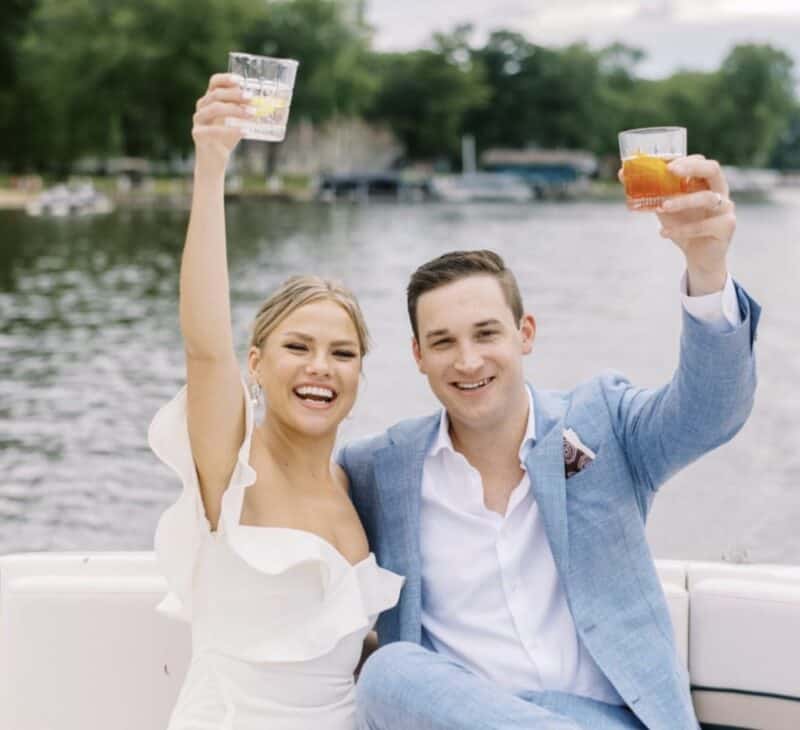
(491, 596)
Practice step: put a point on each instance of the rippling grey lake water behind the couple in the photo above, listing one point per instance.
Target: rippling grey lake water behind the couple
(90, 348)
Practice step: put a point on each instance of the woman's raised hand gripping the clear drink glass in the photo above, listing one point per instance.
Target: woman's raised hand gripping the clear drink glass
(213, 140)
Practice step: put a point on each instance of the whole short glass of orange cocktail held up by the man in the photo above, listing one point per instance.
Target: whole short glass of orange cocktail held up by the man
(645, 154)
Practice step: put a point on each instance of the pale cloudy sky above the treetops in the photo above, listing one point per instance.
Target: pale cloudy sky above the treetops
(694, 34)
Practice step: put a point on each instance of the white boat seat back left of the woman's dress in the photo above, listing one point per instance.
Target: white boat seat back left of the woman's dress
(88, 652)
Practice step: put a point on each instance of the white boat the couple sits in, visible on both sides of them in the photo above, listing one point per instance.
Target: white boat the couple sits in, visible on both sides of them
(82, 647)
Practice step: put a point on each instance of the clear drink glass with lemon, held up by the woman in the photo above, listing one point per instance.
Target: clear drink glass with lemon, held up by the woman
(269, 82)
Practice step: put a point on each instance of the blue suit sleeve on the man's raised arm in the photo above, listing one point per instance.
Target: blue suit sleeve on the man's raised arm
(704, 405)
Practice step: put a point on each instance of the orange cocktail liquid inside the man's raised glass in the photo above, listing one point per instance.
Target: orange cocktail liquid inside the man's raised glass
(648, 182)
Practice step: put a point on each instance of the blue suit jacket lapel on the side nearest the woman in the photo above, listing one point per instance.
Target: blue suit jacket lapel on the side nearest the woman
(398, 473)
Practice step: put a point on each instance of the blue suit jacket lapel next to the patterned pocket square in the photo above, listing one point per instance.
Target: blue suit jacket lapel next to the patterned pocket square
(545, 464)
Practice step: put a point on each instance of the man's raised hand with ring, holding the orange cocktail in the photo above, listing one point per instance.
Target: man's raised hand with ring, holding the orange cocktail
(700, 224)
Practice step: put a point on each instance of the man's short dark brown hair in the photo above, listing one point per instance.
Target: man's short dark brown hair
(458, 265)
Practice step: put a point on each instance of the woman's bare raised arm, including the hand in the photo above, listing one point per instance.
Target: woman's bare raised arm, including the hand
(215, 401)
